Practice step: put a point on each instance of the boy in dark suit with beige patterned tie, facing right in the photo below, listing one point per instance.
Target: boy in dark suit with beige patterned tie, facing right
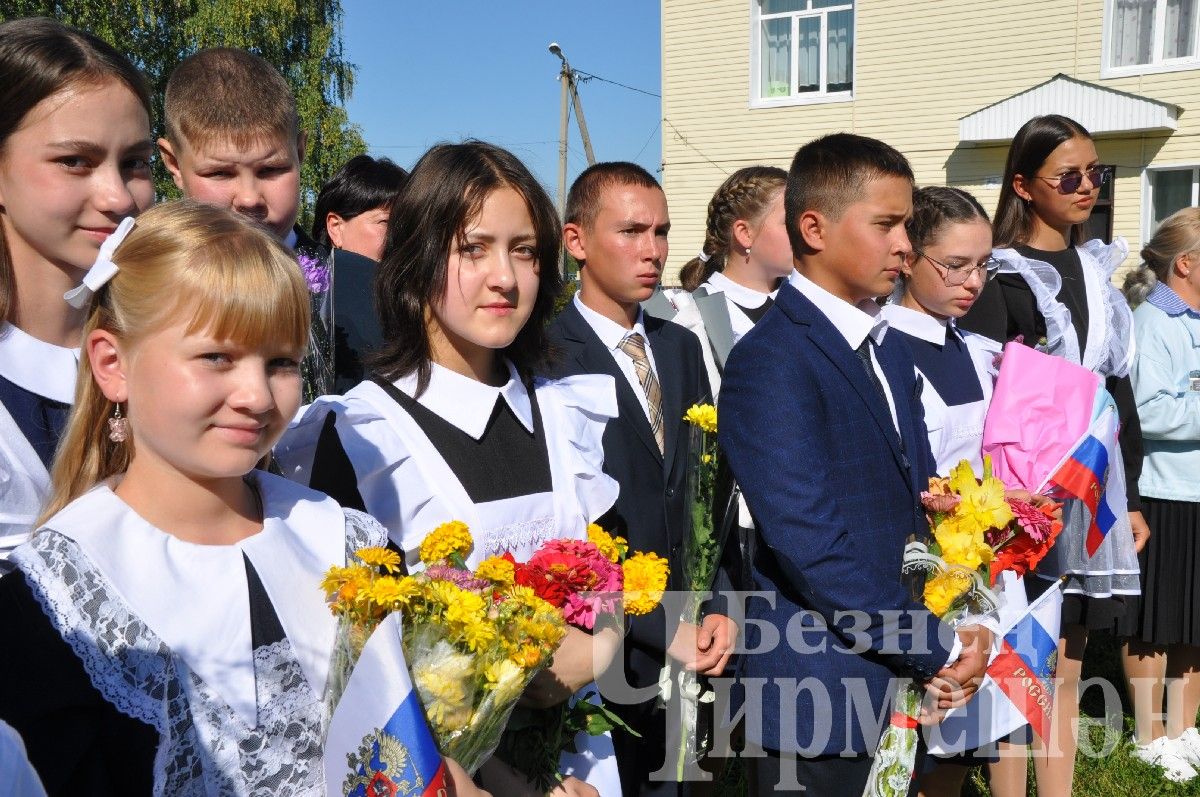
(617, 229)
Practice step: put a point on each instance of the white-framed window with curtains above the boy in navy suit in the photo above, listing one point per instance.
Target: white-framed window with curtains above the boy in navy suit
(806, 49)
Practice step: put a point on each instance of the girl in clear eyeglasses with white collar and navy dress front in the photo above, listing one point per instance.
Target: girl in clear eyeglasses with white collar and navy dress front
(944, 275)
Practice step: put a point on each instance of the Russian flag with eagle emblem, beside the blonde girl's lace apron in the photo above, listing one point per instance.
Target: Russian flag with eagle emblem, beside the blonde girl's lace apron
(379, 741)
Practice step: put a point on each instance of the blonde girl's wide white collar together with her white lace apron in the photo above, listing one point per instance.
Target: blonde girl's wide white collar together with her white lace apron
(163, 628)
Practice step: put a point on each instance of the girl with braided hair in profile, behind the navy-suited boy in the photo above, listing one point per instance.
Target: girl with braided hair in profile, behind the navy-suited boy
(733, 283)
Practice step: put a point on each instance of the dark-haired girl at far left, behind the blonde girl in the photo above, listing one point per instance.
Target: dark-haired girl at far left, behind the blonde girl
(75, 160)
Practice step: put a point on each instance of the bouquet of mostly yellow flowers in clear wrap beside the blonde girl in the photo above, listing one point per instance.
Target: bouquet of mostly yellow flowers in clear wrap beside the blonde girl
(472, 639)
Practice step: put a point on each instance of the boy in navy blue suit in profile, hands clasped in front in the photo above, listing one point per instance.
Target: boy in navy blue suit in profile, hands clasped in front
(824, 429)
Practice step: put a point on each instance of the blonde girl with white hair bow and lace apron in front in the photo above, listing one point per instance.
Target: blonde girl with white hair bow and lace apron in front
(170, 628)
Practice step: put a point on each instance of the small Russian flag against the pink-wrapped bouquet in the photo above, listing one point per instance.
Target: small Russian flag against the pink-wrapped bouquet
(1087, 475)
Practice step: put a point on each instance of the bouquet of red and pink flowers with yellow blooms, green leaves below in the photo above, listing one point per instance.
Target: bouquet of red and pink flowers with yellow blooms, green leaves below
(589, 582)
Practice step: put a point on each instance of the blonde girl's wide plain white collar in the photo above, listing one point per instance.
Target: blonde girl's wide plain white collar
(195, 597)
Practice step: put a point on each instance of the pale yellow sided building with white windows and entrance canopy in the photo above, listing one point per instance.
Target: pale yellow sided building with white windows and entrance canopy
(946, 82)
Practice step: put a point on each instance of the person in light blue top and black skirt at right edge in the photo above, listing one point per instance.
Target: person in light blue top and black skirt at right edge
(1163, 638)
